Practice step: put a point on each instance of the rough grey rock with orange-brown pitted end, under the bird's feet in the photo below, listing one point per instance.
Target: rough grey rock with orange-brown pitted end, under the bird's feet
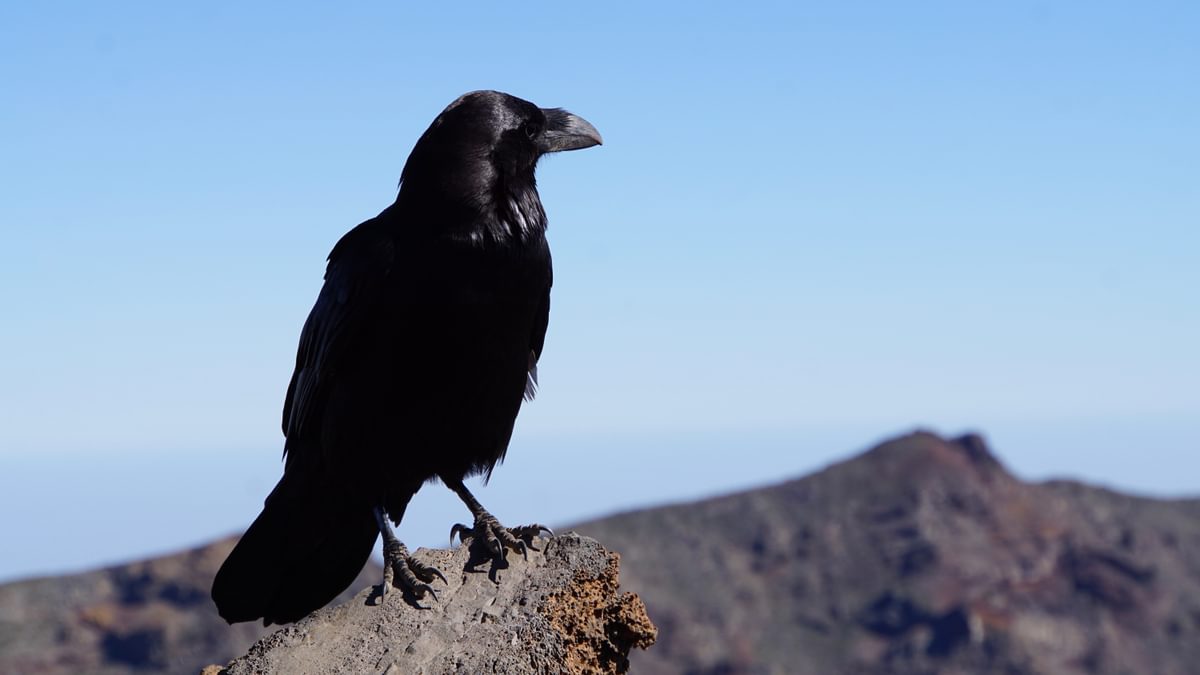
(560, 612)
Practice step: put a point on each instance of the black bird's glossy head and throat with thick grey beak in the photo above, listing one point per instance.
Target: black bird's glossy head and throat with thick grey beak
(479, 156)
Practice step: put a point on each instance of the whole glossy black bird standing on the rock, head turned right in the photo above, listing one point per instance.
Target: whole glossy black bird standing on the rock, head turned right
(413, 363)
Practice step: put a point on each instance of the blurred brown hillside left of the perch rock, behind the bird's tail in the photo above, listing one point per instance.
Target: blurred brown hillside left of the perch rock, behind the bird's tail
(149, 617)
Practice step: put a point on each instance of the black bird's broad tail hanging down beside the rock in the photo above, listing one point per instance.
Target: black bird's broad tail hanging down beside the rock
(307, 547)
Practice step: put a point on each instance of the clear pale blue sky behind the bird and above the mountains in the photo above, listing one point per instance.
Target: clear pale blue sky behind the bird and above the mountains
(812, 226)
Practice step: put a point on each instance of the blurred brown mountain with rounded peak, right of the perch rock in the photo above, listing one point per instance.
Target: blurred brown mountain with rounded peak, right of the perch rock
(922, 557)
